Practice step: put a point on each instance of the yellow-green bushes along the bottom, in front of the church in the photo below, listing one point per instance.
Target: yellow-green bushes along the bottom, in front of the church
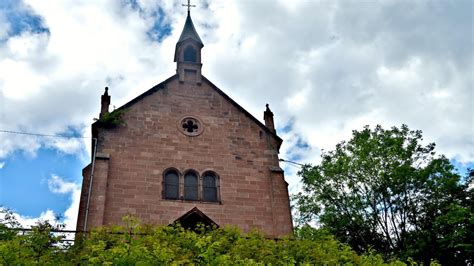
(137, 244)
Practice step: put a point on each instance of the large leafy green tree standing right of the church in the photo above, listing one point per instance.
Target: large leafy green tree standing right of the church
(386, 191)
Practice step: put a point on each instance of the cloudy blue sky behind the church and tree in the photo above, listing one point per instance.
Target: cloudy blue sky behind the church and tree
(325, 67)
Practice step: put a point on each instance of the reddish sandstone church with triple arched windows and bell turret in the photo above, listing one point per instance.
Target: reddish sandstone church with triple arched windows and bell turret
(184, 151)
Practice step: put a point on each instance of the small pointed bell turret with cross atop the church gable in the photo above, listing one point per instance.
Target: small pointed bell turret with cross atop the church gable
(188, 52)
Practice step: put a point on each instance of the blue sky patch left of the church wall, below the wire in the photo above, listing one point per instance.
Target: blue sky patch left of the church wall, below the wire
(24, 181)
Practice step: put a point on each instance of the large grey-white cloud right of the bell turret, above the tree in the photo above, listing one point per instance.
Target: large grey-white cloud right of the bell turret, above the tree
(336, 67)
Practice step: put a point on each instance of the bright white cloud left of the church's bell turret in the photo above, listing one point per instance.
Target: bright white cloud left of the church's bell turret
(53, 80)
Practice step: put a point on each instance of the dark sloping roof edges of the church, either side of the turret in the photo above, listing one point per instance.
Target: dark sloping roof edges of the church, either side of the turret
(162, 85)
